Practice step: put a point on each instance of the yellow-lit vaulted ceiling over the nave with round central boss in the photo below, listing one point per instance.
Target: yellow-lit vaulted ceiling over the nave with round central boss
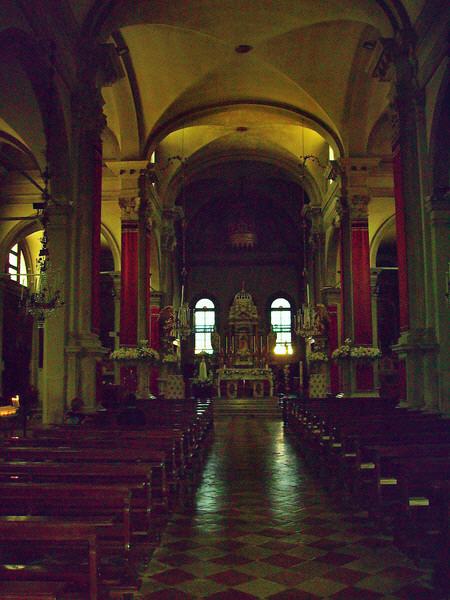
(290, 76)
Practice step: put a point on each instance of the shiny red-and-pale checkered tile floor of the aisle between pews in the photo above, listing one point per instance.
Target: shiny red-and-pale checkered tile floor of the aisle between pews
(262, 527)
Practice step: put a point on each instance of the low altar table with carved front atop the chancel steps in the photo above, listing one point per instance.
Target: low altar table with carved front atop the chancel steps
(233, 383)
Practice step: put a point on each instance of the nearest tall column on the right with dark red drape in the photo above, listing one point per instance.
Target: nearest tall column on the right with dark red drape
(417, 345)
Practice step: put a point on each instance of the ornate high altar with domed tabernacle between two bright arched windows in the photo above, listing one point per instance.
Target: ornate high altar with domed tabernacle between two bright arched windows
(245, 352)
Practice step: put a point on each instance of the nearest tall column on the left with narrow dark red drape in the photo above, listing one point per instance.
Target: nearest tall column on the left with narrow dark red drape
(84, 350)
